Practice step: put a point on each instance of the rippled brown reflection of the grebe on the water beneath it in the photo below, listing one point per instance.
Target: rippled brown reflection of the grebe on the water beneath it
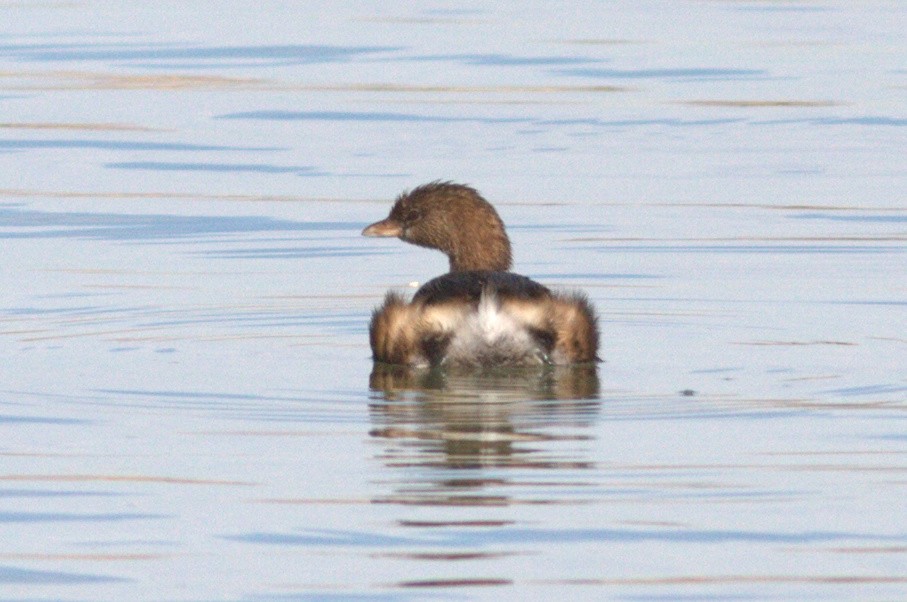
(459, 436)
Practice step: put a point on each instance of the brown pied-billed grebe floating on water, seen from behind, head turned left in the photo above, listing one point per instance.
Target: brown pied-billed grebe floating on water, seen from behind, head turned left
(479, 314)
